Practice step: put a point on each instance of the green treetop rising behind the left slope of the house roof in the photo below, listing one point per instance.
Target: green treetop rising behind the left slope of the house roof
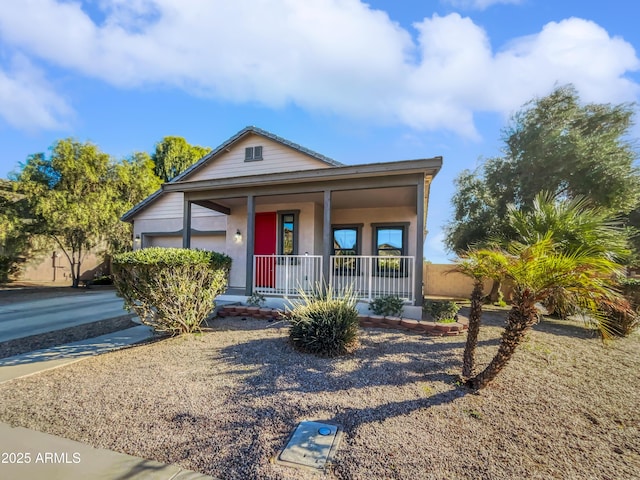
(173, 155)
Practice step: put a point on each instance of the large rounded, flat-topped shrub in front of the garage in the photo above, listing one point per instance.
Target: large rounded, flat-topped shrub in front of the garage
(171, 289)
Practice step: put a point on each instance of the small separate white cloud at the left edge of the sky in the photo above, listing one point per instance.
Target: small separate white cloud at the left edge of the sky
(28, 101)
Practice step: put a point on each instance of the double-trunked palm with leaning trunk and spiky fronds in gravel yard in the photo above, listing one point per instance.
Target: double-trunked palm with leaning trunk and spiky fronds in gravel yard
(563, 253)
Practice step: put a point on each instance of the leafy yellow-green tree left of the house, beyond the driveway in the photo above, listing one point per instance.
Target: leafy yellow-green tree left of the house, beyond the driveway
(71, 197)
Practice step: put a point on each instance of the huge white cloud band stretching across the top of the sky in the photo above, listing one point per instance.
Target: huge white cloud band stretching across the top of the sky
(335, 56)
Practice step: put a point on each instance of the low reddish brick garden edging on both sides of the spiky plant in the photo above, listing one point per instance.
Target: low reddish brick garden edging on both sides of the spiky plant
(366, 321)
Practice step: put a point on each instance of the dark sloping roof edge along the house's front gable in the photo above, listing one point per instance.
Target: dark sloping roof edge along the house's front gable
(221, 149)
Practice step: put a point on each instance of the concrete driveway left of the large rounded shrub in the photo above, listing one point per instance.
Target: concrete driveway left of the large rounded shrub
(22, 319)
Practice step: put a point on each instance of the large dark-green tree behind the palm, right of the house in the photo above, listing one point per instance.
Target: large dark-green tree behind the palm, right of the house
(554, 144)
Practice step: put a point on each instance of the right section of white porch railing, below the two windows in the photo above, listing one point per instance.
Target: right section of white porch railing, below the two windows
(374, 276)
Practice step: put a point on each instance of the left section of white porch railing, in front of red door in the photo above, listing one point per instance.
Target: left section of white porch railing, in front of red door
(286, 274)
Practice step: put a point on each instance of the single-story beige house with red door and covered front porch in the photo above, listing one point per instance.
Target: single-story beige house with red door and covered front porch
(290, 217)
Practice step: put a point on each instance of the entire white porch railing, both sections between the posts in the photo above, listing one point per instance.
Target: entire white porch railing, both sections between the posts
(368, 276)
